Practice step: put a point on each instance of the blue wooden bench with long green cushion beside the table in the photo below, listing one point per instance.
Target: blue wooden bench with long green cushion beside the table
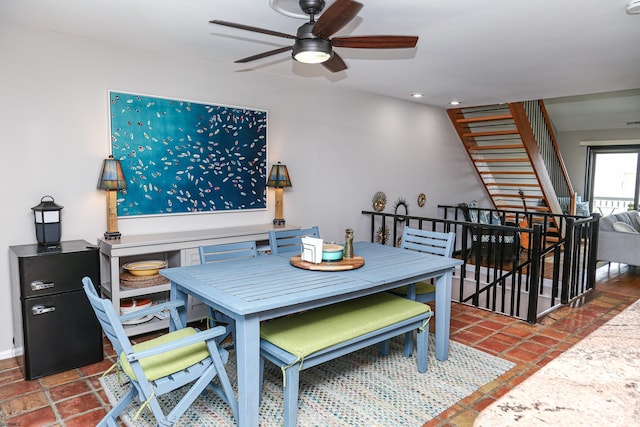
(306, 339)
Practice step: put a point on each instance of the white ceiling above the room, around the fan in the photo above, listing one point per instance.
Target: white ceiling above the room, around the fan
(478, 52)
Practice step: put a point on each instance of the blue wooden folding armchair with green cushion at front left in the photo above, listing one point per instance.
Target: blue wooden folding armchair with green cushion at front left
(163, 364)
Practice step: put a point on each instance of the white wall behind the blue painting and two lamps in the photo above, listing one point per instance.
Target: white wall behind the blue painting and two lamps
(340, 147)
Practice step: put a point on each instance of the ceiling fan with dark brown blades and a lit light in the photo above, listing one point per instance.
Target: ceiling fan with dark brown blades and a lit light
(313, 44)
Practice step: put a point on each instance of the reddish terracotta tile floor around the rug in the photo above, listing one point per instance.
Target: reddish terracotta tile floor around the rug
(75, 398)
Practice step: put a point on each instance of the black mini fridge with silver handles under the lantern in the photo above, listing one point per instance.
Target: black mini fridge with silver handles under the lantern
(54, 326)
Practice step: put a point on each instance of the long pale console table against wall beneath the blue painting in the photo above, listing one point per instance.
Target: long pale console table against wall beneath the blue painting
(177, 249)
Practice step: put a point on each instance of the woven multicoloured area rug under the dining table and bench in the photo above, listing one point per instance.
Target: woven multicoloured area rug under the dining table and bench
(360, 389)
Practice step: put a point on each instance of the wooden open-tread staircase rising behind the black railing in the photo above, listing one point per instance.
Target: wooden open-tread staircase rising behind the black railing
(513, 150)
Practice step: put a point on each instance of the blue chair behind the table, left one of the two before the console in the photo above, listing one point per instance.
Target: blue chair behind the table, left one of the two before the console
(225, 252)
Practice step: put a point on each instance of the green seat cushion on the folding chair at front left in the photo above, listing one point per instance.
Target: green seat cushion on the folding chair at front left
(170, 362)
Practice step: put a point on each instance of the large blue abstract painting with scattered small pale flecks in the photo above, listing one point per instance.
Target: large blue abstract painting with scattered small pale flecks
(179, 156)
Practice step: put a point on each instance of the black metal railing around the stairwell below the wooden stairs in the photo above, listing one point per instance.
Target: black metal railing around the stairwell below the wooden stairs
(508, 279)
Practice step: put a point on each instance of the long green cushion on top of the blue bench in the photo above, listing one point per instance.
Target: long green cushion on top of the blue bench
(314, 330)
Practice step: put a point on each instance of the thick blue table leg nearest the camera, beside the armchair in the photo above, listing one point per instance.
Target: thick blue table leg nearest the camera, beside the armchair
(247, 342)
